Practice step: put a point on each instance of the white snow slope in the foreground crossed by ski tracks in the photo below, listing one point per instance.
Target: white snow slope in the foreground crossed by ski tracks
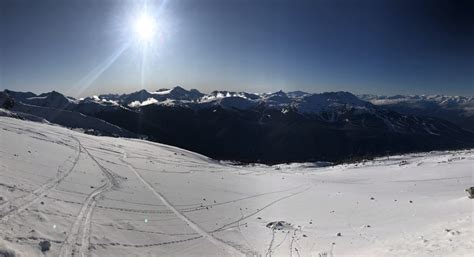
(100, 196)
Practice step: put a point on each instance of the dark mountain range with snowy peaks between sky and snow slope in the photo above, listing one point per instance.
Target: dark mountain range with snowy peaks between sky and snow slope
(269, 128)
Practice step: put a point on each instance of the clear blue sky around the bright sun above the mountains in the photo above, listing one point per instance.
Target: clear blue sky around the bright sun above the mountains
(84, 47)
